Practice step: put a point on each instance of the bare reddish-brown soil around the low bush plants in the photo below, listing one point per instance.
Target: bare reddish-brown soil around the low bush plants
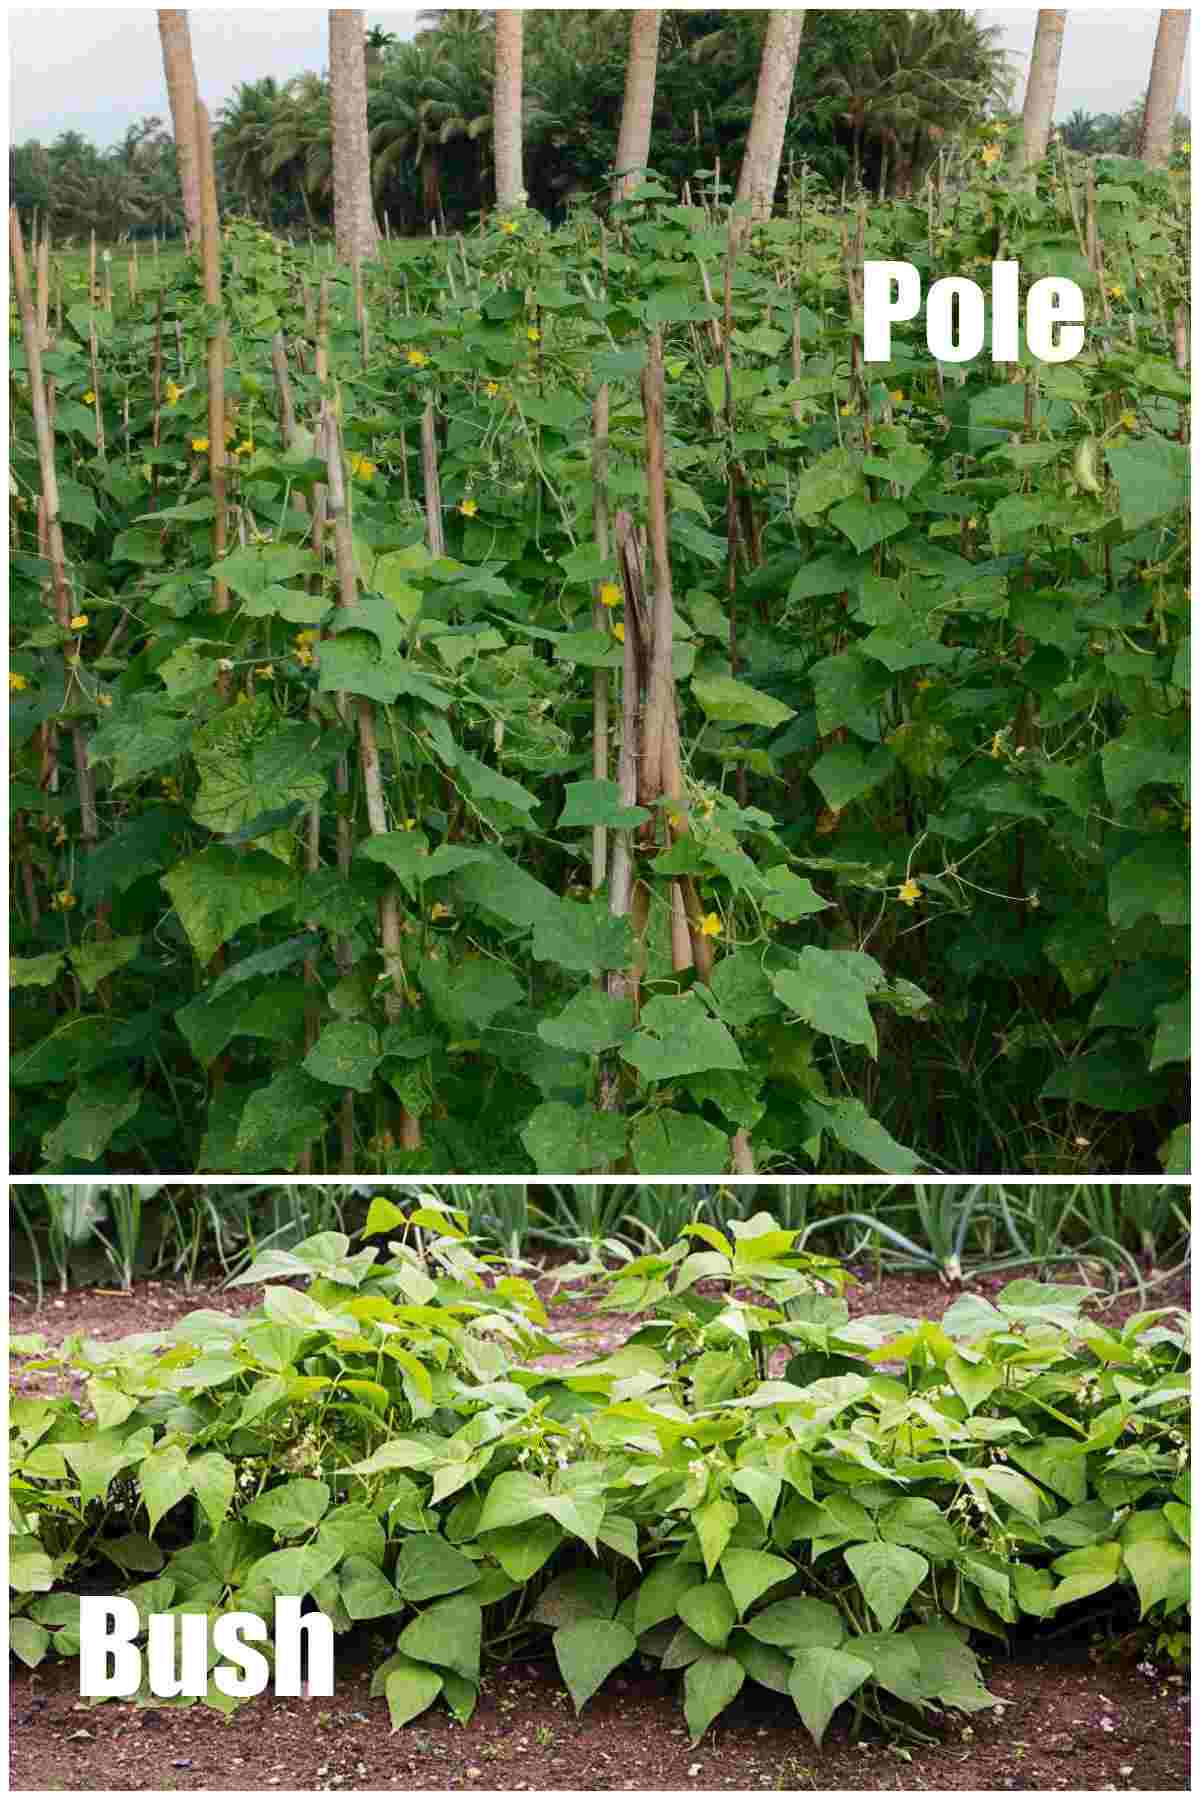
(1066, 1718)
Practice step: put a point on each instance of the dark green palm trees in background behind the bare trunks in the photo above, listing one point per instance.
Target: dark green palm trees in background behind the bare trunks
(877, 96)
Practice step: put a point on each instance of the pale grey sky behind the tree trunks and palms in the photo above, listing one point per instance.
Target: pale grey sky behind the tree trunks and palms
(100, 69)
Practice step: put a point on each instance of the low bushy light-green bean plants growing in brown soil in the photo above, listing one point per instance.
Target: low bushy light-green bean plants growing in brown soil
(836, 1533)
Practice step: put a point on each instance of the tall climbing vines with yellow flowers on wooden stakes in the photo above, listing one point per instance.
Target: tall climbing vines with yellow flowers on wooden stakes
(935, 798)
